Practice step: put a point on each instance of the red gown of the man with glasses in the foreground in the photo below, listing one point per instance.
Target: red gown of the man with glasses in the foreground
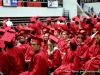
(38, 65)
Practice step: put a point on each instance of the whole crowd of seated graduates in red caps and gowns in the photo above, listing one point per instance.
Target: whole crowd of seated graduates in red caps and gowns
(54, 48)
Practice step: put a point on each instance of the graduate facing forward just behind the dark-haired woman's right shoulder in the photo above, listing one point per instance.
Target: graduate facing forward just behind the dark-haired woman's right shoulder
(82, 49)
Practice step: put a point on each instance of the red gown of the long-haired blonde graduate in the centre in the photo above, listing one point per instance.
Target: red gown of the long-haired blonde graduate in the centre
(55, 59)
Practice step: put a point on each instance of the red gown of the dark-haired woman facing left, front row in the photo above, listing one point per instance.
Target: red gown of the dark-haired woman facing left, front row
(70, 63)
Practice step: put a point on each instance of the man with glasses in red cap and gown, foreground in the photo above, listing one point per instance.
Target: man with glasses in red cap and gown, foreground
(39, 62)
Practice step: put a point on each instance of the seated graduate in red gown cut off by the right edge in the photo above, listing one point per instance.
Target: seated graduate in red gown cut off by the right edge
(93, 64)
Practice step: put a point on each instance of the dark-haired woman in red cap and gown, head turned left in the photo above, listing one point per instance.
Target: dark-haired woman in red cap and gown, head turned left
(69, 63)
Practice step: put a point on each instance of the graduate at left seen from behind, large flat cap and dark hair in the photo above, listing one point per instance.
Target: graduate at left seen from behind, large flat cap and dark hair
(14, 60)
